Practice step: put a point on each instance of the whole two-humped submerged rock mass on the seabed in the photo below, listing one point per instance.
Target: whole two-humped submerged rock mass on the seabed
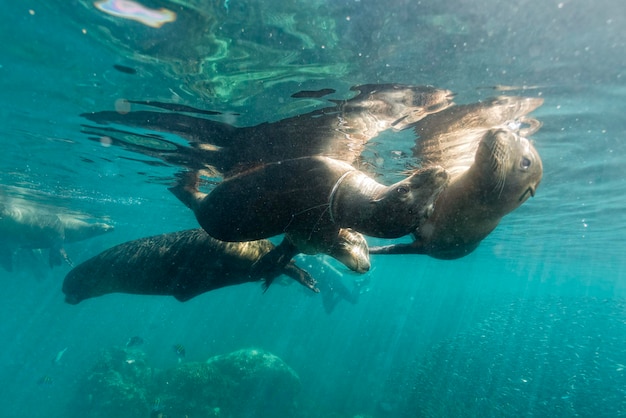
(246, 383)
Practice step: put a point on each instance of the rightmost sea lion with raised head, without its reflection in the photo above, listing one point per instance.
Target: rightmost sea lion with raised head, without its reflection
(506, 171)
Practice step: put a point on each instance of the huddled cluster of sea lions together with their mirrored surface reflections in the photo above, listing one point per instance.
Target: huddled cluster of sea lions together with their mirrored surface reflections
(306, 177)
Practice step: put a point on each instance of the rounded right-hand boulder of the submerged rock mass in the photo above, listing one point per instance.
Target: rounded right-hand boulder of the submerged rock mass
(245, 383)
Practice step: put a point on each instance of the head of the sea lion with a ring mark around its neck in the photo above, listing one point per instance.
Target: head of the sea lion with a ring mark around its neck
(404, 205)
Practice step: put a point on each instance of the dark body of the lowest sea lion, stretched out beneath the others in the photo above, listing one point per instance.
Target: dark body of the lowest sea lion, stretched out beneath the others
(182, 264)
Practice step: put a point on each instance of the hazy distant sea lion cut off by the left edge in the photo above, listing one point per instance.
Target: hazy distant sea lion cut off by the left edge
(30, 227)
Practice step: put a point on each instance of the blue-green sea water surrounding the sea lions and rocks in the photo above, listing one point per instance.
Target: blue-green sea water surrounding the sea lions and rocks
(532, 323)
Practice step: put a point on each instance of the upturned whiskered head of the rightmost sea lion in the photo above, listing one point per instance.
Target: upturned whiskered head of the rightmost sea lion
(509, 166)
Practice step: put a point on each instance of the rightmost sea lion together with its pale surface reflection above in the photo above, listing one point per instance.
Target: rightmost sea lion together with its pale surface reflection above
(493, 171)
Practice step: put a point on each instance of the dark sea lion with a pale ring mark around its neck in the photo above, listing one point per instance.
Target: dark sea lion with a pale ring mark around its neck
(310, 199)
